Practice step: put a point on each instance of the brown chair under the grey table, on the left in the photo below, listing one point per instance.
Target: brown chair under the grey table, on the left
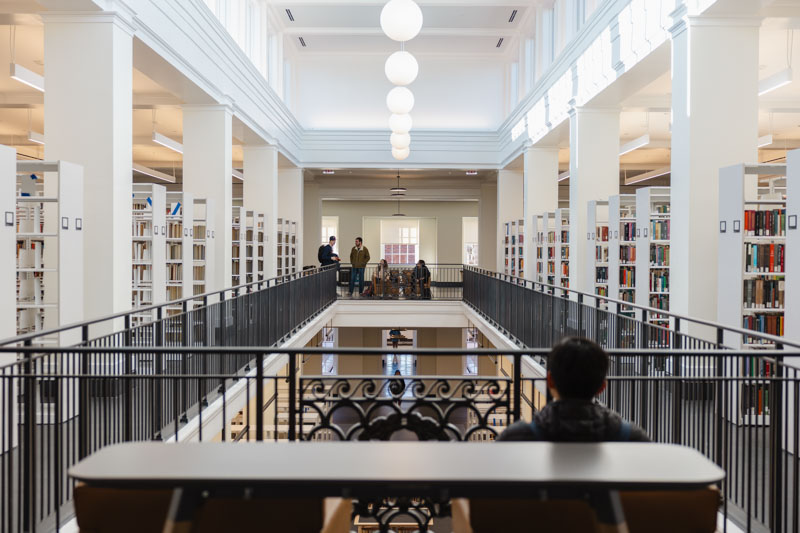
(103, 510)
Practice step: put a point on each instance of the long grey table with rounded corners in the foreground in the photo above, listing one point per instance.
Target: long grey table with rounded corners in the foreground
(369, 469)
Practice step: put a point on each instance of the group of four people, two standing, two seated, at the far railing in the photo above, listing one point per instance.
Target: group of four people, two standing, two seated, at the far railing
(382, 277)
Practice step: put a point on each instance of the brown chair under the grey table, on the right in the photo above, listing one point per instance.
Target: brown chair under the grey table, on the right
(690, 511)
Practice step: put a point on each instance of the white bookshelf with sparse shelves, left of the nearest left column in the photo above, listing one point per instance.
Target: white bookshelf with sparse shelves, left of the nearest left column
(49, 243)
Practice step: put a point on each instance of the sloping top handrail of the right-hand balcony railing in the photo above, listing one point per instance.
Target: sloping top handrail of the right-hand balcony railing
(778, 341)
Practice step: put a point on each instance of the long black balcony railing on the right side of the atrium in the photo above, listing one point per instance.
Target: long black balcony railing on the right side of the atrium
(537, 315)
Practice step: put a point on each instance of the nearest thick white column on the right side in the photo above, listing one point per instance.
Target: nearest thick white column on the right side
(714, 124)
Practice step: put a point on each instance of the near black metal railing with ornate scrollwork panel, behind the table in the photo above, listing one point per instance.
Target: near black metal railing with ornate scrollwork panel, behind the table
(54, 412)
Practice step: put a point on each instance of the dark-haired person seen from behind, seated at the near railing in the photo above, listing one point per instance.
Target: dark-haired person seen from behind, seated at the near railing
(576, 374)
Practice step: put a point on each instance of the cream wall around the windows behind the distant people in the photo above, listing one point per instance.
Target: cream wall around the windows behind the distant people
(363, 219)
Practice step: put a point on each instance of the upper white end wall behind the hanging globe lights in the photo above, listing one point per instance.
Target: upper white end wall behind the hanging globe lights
(350, 92)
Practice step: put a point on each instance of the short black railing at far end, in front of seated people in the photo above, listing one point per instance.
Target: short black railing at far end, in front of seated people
(404, 282)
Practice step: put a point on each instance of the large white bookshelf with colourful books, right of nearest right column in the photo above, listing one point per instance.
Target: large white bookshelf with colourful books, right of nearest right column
(751, 279)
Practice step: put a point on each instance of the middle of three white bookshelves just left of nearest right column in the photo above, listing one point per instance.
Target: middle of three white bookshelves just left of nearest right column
(622, 250)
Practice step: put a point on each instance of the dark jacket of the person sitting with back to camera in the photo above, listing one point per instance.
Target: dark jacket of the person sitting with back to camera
(573, 421)
